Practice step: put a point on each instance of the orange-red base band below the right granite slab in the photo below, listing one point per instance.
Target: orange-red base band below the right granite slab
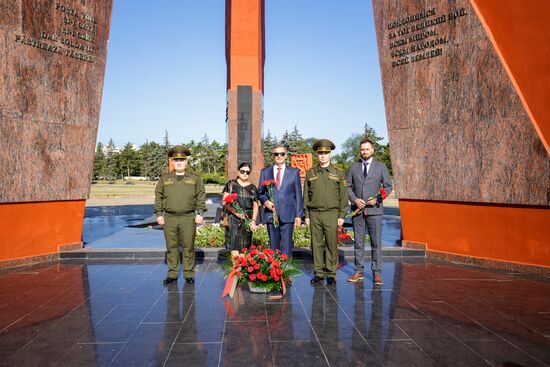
(495, 232)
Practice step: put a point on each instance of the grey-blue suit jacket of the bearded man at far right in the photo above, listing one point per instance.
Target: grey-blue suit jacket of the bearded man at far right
(359, 187)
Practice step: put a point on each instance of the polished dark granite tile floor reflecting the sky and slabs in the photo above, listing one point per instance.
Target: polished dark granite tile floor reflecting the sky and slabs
(427, 313)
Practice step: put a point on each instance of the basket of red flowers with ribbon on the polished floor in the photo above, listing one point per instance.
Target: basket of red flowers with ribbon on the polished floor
(263, 269)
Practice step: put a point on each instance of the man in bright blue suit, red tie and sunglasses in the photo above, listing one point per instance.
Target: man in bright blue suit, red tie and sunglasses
(287, 200)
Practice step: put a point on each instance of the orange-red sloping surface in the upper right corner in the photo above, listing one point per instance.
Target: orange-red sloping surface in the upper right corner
(520, 33)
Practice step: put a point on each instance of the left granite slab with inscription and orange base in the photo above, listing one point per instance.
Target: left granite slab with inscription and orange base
(53, 63)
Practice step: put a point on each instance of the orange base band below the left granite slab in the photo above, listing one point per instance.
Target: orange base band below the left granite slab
(34, 229)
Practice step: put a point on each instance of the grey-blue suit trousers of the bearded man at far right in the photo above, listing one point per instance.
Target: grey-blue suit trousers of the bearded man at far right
(371, 225)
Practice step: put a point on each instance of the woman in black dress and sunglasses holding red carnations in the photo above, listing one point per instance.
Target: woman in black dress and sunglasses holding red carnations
(237, 235)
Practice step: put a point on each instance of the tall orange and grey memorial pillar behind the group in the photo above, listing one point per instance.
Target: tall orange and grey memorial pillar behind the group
(245, 55)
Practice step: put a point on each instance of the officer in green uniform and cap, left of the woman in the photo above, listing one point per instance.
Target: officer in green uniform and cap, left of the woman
(179, 206)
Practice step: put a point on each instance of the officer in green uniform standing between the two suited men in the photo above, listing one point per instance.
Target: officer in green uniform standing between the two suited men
(325, 206)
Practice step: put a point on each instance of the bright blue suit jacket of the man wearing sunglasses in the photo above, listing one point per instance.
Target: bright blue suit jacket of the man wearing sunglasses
(288, 199)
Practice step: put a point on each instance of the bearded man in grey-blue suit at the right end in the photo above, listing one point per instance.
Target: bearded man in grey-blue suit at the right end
(364, 180)
